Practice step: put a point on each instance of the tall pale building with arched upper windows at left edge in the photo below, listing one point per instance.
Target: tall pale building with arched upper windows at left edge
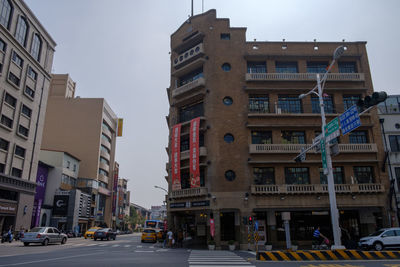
(26, 58)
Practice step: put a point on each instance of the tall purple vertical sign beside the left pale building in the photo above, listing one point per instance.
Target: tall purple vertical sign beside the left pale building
(41, 180)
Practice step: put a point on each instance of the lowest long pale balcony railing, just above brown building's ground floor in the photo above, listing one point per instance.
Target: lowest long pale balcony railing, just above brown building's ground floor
(316, 189)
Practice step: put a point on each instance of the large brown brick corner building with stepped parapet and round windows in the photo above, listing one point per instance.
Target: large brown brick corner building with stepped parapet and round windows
(241, 100)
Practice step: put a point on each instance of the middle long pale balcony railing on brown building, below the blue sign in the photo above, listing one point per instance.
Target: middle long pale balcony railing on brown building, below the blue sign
(295, 148)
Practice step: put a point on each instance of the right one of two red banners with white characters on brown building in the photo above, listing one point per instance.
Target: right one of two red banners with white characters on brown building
(194, 153)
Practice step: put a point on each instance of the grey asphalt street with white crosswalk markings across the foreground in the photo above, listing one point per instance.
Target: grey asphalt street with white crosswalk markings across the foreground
(127, 250)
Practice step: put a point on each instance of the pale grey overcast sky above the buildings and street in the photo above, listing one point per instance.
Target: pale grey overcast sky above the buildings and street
(118, 50)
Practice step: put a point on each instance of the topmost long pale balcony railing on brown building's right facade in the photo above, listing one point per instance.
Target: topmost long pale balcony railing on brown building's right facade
(253, 77)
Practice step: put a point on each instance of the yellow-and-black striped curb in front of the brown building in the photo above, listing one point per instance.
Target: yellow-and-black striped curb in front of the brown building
(324, 255)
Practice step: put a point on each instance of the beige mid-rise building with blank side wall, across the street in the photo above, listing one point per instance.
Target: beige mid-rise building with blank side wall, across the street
(87, 128)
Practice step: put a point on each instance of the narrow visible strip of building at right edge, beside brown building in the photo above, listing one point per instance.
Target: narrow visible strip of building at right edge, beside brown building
(389, 118)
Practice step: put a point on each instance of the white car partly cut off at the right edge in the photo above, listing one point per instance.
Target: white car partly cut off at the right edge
(384, 238)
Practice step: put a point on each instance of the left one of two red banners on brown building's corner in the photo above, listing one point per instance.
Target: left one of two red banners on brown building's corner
(176, 157)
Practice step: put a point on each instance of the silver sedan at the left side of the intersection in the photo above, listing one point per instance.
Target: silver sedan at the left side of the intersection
(44, 235)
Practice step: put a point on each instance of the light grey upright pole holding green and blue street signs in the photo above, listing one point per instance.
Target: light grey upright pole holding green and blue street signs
(331, 185)
